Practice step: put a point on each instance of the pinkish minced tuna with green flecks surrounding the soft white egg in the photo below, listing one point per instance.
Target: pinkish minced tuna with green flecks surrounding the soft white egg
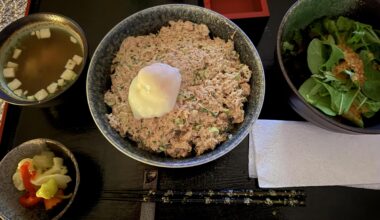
(214, 87)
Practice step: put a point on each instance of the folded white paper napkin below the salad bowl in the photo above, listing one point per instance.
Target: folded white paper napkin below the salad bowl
(294, 154)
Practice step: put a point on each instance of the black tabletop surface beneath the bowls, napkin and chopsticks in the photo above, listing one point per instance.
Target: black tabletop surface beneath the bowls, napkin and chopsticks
(104, 169)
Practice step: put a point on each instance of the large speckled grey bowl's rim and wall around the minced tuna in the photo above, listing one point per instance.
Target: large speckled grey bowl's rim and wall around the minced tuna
(150, 21)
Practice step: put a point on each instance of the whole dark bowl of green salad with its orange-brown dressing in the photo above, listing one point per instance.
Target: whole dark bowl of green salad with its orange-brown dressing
(329, 53)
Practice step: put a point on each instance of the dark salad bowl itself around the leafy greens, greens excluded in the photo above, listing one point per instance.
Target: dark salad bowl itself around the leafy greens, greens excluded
(299, 16)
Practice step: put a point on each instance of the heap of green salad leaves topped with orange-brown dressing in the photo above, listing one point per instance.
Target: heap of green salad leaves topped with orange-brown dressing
(342, 93)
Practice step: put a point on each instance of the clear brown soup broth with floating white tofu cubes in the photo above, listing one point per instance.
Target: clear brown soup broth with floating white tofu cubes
(40, 59)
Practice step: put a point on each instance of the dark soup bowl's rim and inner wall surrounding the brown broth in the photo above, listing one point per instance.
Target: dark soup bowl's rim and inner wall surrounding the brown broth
(29, 23)
